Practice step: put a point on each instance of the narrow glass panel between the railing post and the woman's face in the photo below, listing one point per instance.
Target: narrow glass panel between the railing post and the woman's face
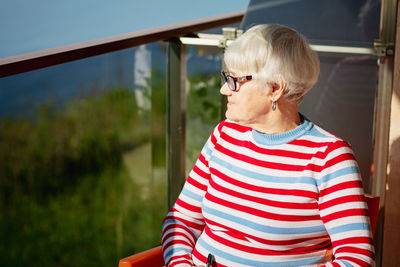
(203, 109)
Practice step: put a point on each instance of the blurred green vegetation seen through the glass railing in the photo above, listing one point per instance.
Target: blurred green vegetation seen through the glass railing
(80, 186)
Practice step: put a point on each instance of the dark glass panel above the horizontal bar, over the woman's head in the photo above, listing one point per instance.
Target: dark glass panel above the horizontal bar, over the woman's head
(352, 23)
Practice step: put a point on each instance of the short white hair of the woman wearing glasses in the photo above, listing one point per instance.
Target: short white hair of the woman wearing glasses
(275, 54)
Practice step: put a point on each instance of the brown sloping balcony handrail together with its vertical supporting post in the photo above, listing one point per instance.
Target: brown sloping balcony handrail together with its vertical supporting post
(175, 75)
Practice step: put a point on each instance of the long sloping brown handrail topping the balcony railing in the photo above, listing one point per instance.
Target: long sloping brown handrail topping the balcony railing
(53, 56)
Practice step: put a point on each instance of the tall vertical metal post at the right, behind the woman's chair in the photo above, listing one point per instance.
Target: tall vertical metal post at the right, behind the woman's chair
(382, 113)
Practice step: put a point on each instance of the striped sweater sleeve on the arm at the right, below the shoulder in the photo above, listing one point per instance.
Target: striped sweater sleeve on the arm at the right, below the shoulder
(343, 209)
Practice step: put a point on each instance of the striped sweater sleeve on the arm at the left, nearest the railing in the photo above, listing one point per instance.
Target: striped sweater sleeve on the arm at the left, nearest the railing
(184, 222)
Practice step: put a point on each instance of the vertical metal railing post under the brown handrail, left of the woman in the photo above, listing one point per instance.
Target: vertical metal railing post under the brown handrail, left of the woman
(176, 98)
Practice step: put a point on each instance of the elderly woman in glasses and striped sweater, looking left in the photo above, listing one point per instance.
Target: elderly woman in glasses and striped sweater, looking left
(270, 188)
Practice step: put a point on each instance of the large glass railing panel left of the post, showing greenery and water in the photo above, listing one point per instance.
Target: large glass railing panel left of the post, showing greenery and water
(79, 182)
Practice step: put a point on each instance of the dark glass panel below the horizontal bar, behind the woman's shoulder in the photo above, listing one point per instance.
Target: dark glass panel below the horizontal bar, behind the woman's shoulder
(342, 102)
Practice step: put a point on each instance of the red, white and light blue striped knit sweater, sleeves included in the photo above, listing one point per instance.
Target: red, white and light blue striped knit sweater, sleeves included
(254, 199)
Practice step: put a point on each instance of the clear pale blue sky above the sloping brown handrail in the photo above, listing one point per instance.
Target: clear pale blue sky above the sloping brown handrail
(27, 26)
